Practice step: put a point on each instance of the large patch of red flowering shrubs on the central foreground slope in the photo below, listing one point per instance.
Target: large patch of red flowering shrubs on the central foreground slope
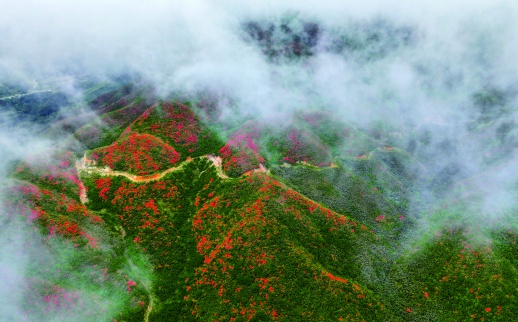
(238, 234)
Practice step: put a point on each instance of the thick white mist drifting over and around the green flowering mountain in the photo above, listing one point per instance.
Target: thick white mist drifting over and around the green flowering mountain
(441, 75)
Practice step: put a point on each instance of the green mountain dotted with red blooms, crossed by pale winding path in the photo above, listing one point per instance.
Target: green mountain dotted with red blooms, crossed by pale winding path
(155, 209)
